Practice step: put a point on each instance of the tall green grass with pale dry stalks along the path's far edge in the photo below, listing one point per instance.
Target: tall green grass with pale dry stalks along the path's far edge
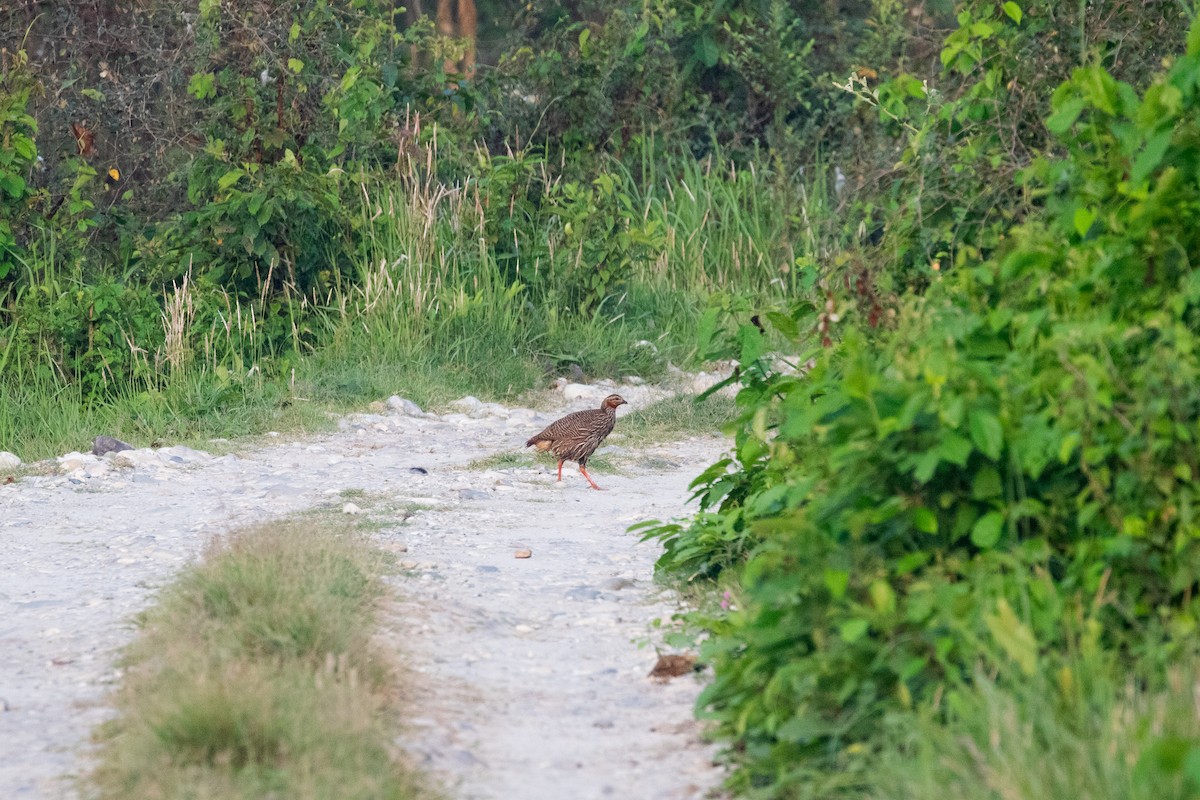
(437, 309)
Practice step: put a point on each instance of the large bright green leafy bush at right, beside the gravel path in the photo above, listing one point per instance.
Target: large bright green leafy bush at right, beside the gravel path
(1001, 479)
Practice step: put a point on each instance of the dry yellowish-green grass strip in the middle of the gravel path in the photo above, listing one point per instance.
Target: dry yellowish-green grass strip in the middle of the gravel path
(256, 676)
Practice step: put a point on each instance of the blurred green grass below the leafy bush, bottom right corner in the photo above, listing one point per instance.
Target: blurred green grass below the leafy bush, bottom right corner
(1085, 733)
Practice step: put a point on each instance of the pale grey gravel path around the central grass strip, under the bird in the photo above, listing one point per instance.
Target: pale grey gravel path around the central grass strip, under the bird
(530, 675)
